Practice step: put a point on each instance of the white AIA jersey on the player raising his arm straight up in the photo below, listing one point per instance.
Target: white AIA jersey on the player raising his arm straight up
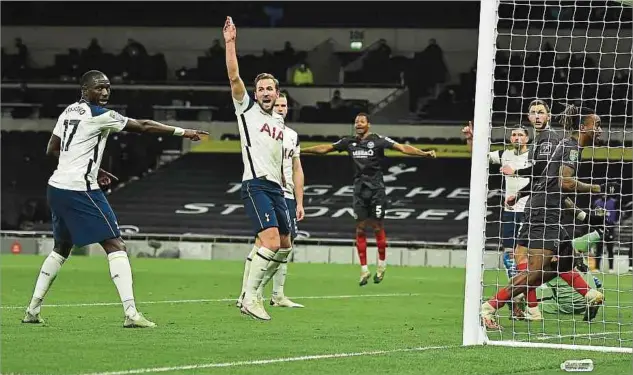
(261, 136)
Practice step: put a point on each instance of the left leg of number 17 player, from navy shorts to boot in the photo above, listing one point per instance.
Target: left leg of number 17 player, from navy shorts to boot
(54, 261)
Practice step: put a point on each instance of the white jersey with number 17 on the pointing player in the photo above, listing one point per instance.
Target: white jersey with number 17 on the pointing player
(83, 129)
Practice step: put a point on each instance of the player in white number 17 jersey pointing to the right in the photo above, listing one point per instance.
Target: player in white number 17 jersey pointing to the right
(80, 211)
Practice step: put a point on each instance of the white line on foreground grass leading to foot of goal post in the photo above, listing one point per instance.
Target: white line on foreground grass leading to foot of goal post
(268, 361)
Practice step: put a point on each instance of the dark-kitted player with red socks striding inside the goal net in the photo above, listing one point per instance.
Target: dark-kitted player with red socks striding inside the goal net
(550, 249)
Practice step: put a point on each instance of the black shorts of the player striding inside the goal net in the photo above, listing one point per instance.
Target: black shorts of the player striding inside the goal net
(542, 229)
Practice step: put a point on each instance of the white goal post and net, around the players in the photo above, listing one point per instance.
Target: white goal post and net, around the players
(561, 52)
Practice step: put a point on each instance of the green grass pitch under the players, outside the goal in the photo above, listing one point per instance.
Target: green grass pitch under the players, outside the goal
(409, 324)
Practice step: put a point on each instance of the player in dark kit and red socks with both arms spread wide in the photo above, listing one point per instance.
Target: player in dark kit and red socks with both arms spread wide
(367, 150)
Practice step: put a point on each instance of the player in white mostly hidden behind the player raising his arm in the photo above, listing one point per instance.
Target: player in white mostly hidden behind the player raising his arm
(293, 193)
